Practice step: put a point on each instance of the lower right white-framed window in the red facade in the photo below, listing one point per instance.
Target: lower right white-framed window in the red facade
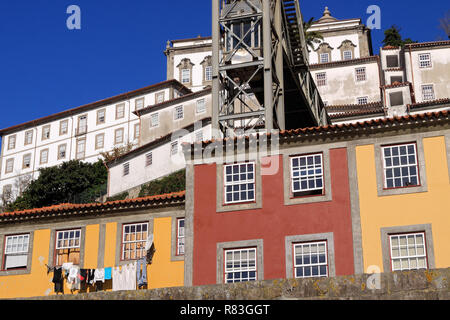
(310, 259)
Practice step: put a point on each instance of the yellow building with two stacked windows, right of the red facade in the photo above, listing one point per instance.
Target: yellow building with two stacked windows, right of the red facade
(403, 178)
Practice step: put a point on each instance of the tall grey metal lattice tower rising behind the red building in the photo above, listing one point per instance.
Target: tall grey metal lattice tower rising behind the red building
(261, 77)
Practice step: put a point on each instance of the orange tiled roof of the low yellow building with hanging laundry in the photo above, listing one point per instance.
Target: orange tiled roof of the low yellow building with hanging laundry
(66, 209)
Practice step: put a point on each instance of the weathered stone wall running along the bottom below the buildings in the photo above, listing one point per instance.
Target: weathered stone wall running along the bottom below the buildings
(418, 285)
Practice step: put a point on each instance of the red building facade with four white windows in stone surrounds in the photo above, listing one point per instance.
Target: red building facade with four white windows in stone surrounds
(250, 223)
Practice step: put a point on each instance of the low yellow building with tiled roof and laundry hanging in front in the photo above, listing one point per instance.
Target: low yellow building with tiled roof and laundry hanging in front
(96, 236)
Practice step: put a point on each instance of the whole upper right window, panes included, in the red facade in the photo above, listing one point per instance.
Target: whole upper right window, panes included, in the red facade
(307, 175)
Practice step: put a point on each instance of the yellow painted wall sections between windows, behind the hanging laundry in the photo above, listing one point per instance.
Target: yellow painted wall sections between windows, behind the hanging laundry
(162, 273)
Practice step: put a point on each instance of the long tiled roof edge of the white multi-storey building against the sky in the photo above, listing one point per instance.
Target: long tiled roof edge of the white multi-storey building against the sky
(93, 105)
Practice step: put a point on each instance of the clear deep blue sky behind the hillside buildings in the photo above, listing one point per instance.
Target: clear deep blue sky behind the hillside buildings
(46, 68)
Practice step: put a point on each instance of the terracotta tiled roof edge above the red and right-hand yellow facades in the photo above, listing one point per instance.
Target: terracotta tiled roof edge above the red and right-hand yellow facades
(416, 119)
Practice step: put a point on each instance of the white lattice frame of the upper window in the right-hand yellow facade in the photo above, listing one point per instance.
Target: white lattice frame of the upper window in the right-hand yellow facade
(399, 167)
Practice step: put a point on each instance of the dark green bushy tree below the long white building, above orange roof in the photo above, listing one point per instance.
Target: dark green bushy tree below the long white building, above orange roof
(71, 182)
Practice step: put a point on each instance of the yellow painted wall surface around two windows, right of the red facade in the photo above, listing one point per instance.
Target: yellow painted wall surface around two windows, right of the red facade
(402, 210)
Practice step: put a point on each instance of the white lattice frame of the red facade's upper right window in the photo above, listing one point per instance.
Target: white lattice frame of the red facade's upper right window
(297, 176)
